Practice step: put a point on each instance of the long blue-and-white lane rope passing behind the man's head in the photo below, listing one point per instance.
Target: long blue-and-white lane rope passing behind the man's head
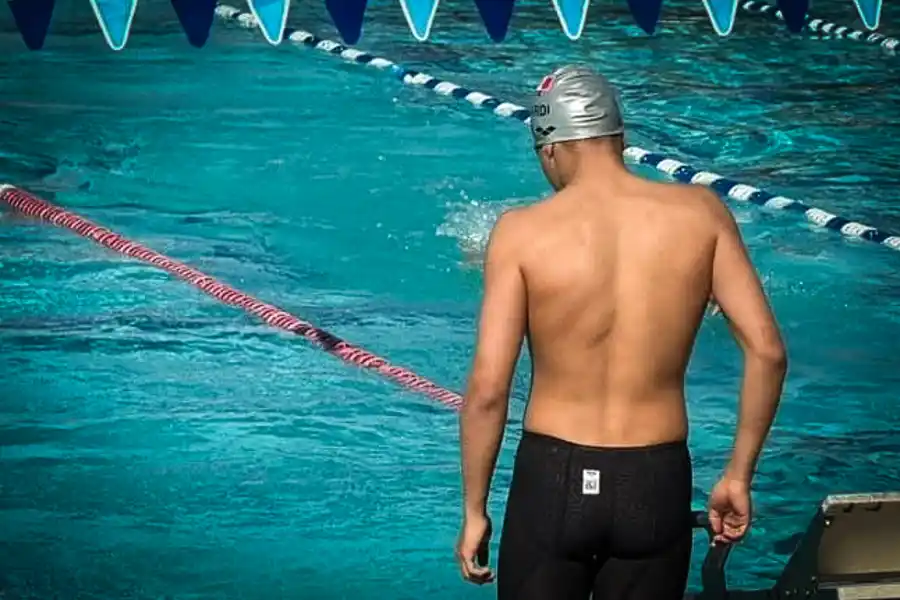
(674, 168)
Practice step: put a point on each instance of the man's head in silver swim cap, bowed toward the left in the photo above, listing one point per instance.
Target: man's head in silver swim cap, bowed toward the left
(574, 106)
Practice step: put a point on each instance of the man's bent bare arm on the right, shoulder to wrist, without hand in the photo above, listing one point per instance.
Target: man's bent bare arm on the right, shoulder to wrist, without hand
(738, 291)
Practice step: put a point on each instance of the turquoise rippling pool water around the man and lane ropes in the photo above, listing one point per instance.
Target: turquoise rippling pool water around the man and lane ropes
(155, 444)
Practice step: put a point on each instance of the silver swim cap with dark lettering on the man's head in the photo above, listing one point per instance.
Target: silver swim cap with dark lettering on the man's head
(575, 103)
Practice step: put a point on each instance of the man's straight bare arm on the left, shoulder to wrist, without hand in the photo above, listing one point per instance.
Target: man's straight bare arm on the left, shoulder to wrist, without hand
(501, 330)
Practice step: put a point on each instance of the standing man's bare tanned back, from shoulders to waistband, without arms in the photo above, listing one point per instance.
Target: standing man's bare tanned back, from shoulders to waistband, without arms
(617, 282)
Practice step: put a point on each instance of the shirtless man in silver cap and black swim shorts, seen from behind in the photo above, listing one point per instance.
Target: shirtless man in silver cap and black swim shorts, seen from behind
(608, 280)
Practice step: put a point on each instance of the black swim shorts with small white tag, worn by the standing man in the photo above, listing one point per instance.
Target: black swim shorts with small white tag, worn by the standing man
(612, 522)
